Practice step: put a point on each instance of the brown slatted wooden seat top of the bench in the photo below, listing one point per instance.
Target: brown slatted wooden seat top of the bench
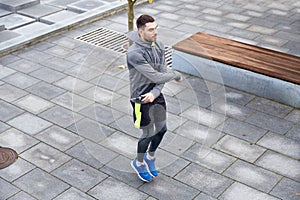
(265, 61)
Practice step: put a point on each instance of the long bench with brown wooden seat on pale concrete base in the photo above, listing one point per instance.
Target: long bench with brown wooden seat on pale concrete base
(232, 58)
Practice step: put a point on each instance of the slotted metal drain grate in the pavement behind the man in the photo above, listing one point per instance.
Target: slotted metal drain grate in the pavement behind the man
(115, 41)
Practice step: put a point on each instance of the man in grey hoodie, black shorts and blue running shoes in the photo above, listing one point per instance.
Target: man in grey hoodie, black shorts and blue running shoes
(147, 74)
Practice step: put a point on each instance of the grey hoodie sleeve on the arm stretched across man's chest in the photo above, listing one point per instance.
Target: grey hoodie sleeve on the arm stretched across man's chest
(141, 65)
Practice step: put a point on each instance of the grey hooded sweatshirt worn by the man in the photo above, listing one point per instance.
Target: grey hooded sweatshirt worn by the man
(147, 67)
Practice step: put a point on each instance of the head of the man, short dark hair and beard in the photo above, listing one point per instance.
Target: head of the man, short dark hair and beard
(147, 28)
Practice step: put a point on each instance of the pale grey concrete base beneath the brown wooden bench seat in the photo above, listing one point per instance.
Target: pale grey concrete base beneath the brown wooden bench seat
(261, 85)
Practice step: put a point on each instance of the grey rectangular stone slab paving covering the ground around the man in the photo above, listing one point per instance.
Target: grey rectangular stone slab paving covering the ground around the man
(65, 109)
